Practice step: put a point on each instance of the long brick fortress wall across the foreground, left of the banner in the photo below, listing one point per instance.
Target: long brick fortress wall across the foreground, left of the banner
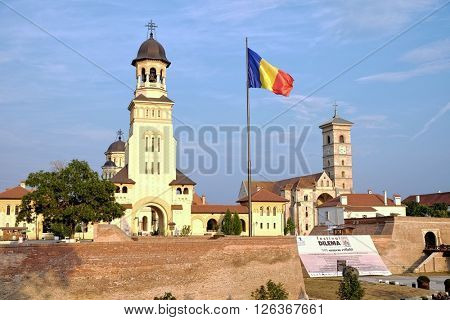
(190, 268)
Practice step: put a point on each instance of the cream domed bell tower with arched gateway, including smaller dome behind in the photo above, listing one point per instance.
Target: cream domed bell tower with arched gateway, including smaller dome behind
(156, 195)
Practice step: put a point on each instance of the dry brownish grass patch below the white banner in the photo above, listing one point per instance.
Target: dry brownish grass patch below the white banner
(326, 288)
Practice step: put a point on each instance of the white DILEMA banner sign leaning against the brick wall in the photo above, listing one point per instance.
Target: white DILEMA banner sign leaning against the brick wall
(325, 256)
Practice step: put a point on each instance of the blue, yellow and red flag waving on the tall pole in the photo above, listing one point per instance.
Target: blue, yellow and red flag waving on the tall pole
(262, 74)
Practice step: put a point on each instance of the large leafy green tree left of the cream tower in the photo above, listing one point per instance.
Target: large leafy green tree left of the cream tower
(69, 196)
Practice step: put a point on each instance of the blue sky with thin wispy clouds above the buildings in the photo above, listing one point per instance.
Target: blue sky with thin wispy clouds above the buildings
(66, 82)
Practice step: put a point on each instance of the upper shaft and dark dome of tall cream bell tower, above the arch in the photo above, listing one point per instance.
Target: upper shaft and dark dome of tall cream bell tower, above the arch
(151, 146)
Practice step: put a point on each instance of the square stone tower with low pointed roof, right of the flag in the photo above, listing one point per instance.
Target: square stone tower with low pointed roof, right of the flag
(337, 152)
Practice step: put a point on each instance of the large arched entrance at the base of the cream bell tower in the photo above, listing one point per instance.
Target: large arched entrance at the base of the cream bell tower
(151, 221)
